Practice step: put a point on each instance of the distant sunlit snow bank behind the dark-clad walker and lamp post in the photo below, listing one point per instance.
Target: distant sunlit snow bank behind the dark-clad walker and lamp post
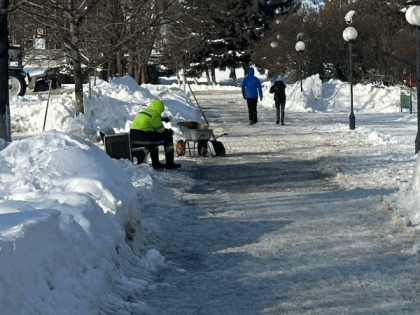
(334, 96)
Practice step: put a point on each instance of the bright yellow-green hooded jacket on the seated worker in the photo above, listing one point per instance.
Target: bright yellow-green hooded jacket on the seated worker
(149, 119)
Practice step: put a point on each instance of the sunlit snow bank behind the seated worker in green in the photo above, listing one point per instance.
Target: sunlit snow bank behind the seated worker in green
(113, 104)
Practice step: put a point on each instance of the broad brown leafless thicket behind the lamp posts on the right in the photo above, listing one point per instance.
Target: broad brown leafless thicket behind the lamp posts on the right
(380, 25)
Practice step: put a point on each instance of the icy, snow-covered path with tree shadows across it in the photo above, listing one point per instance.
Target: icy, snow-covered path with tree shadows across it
(291, 221)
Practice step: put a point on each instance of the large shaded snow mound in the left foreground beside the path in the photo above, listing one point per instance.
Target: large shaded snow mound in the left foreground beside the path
(69, 216)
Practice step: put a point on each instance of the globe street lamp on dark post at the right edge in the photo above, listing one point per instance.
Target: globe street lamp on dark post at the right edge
(413, 17)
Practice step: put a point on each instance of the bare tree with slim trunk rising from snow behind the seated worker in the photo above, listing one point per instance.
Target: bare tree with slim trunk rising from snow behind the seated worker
(94, 32)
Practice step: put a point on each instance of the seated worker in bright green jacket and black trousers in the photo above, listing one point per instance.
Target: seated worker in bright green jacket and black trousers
(148, 126)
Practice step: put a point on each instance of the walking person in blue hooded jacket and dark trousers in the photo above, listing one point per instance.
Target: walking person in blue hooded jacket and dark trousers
(251, 86)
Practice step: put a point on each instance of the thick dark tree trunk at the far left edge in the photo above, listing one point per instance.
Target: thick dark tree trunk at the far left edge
(5, 132)
